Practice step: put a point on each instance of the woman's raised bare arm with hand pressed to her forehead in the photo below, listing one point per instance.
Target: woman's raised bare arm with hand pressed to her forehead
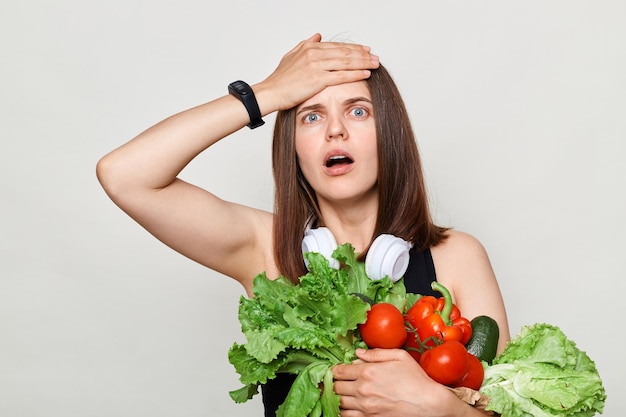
(141, 175)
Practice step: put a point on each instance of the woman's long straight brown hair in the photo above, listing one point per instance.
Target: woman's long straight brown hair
(403, 208)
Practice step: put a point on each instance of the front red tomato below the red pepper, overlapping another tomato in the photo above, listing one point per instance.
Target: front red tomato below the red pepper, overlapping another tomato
(446, 363)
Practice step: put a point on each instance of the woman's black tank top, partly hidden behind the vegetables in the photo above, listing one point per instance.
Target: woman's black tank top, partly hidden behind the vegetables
(417, 280)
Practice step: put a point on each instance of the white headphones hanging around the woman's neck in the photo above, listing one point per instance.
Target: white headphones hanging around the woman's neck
(388, 255)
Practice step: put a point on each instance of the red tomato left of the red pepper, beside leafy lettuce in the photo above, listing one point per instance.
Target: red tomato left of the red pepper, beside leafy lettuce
(384, 327)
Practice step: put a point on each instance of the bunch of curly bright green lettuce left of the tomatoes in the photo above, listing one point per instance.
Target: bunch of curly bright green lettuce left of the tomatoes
(308, 328)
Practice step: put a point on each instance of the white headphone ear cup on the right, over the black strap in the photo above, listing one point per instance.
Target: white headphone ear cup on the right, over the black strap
(388, 256)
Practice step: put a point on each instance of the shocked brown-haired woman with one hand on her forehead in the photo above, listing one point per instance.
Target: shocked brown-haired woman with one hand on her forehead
(344, 158)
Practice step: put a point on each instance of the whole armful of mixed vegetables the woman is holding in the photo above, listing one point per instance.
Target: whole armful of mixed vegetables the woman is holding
(308, 328)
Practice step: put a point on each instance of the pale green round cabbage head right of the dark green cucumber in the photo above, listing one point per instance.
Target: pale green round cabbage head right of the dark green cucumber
(542, 373)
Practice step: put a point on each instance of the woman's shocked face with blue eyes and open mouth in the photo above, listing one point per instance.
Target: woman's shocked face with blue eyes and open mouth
(336, 143)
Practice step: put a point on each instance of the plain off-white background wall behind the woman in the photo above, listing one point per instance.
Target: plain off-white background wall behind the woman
(519, 109)
